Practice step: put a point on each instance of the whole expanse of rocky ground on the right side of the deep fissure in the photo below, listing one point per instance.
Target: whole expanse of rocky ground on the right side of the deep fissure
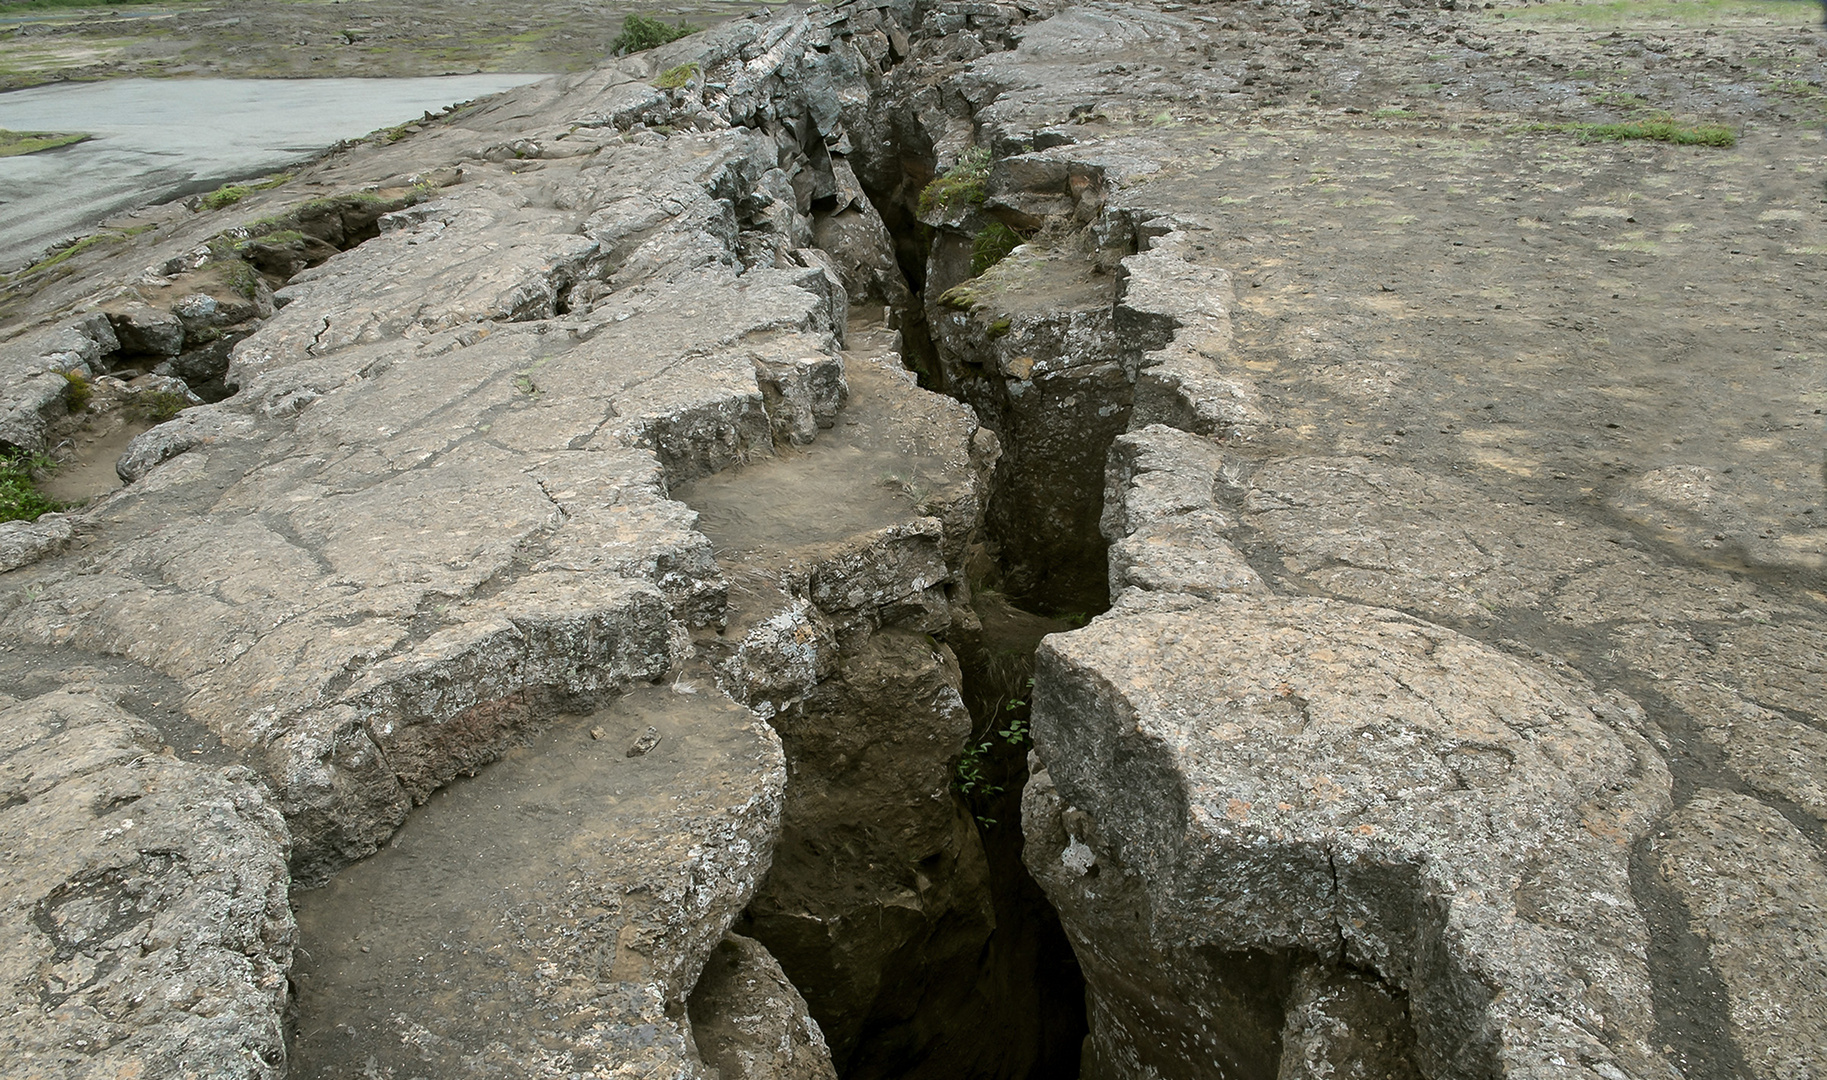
(1274, 443)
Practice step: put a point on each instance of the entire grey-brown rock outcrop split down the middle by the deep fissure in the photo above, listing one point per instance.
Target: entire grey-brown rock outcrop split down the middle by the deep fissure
(1430, 721)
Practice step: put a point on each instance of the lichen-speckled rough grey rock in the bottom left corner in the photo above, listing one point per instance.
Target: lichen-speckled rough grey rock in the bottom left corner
(143, 902)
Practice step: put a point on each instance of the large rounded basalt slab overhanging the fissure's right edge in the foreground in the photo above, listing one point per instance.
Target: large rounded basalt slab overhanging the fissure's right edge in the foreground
(1247, 783)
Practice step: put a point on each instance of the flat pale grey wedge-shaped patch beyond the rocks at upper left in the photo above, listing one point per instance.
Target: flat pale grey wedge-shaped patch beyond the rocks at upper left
(158, 140)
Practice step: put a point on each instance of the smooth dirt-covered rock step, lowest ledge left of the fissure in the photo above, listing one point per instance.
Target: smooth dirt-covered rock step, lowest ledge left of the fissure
(551, 915)
